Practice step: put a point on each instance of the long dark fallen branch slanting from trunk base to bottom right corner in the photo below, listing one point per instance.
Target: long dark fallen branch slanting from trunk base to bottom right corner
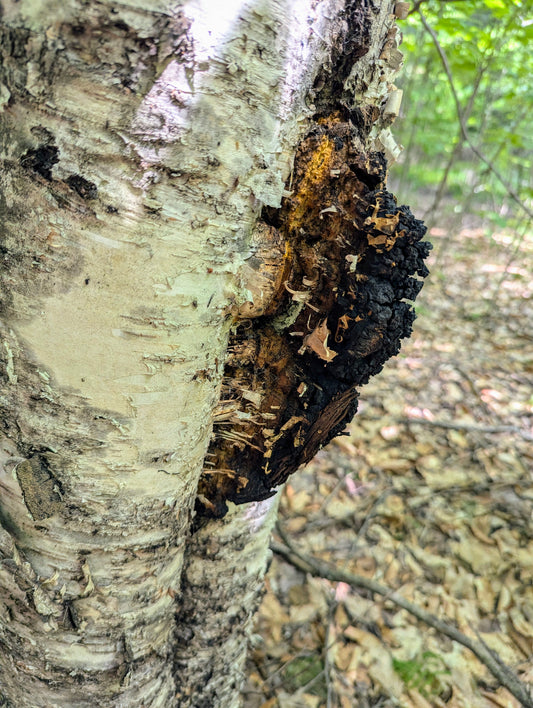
(308, 564)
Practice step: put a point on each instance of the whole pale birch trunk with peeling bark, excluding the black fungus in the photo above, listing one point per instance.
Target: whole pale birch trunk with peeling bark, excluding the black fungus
(140, 143)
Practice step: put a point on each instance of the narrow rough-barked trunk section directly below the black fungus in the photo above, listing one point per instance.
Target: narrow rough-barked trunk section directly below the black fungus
(225, 564)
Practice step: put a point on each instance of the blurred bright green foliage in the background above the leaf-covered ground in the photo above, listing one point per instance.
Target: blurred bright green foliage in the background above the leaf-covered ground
(488, 47)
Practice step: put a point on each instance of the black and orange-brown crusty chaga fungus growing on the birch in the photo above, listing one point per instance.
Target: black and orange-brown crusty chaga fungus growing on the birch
(341, 264)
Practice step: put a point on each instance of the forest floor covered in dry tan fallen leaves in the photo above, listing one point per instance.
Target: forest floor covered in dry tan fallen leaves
(431, 494)
